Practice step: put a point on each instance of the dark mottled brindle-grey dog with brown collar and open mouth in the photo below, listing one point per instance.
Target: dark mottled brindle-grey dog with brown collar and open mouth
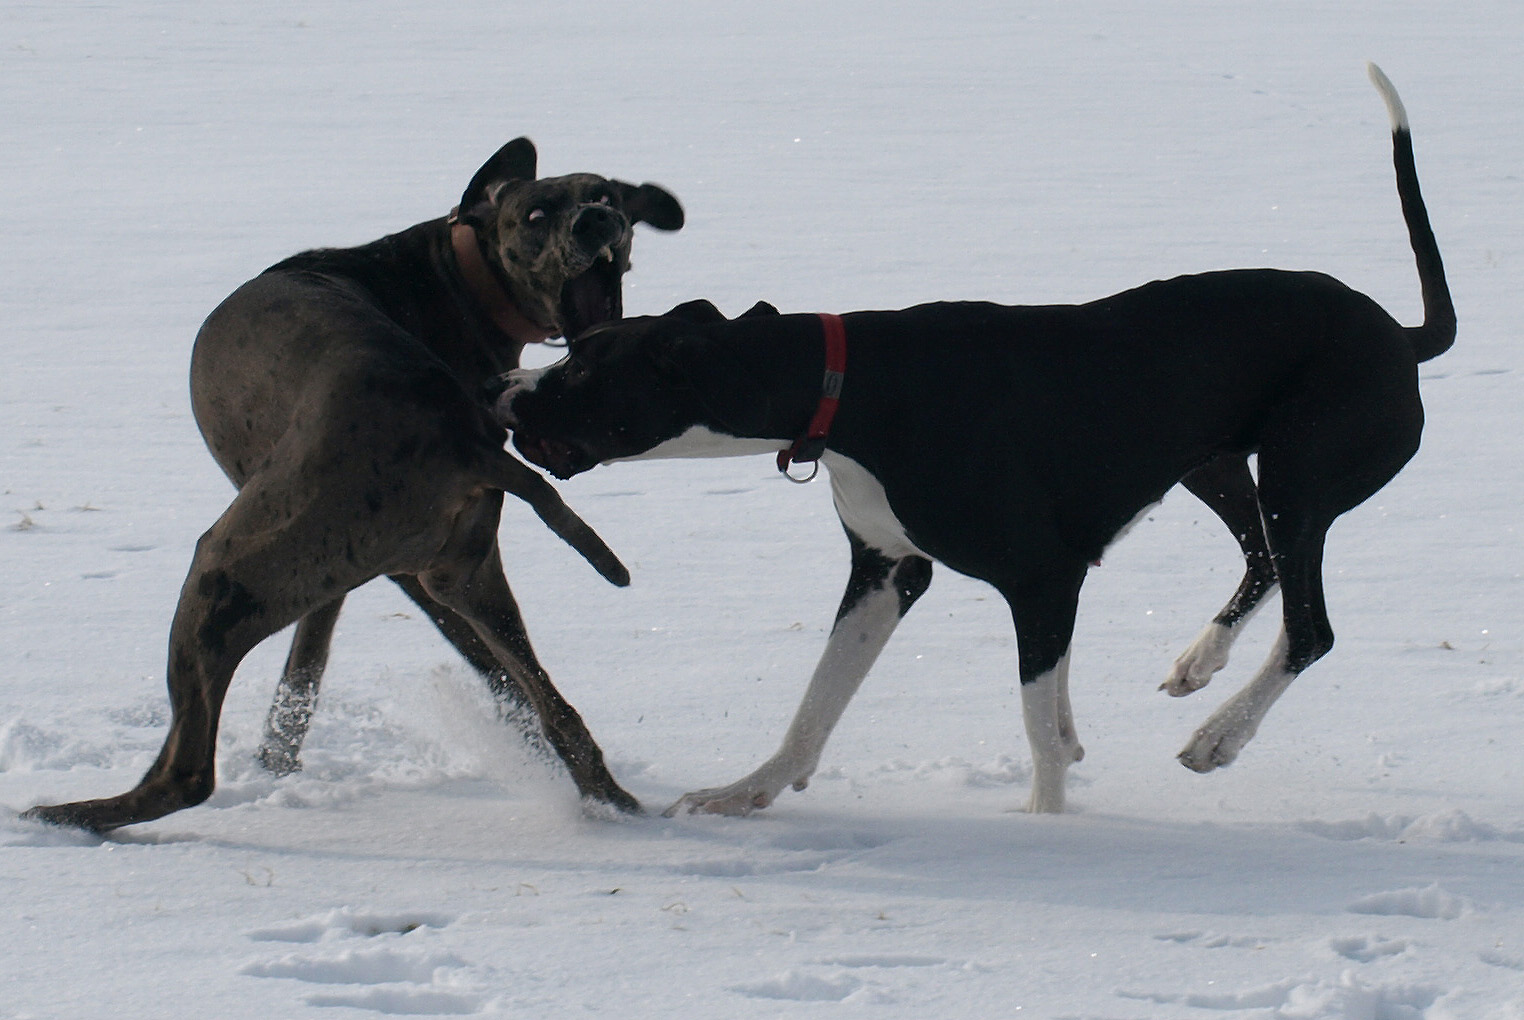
(345, 393)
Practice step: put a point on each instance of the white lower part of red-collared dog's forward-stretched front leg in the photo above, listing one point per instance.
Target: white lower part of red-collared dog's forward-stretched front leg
(853, 649)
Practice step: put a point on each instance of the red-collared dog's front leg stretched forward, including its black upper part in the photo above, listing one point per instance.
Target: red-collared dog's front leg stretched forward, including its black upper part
(880, 592)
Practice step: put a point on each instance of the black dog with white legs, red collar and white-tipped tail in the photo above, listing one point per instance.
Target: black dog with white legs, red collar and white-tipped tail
(1014, 444)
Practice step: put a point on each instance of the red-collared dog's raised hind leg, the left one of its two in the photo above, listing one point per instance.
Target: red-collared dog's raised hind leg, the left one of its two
(1229, 490)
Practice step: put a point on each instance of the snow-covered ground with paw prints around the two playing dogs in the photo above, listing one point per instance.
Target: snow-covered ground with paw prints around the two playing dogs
(1363, 861)
